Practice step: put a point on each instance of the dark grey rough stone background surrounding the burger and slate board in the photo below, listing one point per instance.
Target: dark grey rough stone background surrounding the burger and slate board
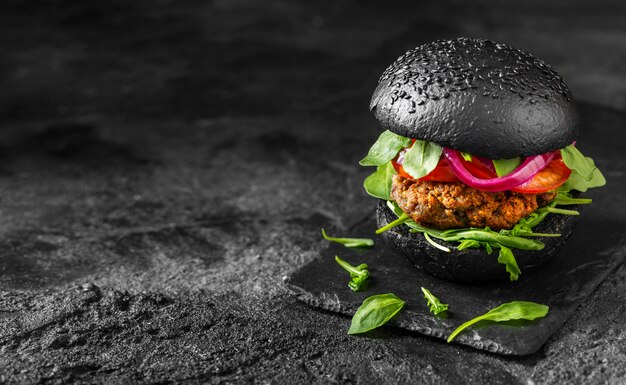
(163, 164)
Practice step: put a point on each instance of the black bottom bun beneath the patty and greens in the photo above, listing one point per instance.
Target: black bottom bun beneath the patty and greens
(472, 265)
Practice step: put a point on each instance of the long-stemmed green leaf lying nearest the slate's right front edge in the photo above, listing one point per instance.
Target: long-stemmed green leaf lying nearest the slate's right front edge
(507, 312)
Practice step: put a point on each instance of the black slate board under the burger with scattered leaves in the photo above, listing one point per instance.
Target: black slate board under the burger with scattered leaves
(596, 247)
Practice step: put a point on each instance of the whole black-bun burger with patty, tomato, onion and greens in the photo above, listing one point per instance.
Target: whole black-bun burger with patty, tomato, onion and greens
(478, 171)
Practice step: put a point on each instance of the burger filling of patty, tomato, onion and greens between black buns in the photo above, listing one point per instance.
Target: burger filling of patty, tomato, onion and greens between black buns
(474, 202)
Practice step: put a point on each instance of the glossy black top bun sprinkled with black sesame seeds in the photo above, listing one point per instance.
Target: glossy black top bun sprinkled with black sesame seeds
(477, 96)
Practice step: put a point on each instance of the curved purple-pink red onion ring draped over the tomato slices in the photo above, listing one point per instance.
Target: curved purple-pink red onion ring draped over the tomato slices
(529, 167)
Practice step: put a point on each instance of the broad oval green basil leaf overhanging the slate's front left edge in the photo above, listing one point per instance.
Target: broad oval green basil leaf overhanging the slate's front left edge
(375, 311)
